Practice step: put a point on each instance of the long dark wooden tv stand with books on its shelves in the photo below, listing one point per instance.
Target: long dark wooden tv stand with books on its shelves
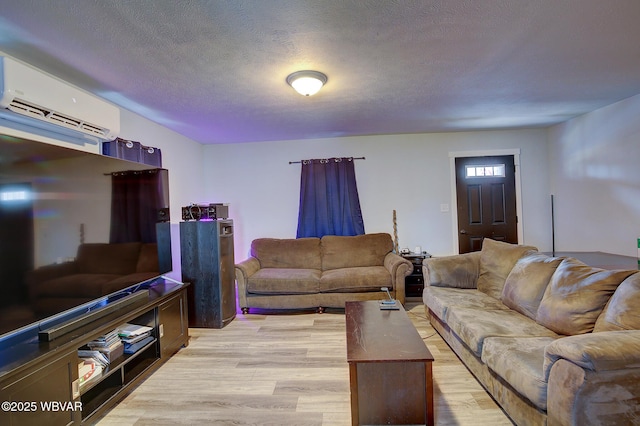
(39, 380)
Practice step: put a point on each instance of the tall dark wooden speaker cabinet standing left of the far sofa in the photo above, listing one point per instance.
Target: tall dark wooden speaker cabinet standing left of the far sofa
(207, 262)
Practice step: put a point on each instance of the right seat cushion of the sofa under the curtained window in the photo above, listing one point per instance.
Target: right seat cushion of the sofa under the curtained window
(355, 279)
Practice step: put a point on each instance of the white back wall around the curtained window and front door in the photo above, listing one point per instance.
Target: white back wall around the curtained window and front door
(408, 173)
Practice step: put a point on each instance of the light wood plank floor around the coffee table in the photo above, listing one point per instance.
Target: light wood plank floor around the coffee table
(285, 369)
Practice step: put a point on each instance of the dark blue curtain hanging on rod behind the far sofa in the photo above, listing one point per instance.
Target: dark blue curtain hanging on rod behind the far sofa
(329, 203)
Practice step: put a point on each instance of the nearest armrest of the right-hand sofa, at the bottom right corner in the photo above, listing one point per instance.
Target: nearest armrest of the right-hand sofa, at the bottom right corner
(593, 378)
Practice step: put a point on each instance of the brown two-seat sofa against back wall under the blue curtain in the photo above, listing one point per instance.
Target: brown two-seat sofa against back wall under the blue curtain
(320, 272)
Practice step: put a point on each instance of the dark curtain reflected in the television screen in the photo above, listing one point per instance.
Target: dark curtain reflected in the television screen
(136, 199)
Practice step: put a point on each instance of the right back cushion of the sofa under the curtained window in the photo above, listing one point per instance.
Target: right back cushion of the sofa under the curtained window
(354, 251)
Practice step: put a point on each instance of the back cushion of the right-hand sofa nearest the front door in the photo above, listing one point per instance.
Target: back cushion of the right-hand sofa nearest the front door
(496, 261)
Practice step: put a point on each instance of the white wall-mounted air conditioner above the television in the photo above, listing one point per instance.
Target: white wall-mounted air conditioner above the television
(30, 98)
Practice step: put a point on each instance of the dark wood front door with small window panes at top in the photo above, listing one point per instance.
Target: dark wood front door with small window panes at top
(486, 201)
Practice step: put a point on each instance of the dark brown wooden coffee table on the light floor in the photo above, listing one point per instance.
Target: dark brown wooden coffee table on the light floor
(389, 367)
